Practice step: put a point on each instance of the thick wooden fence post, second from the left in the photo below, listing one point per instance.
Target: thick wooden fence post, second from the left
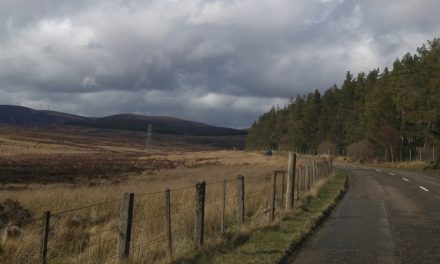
(125, 222)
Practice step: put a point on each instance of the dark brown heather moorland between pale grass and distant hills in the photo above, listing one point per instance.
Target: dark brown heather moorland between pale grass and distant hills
(79, 155)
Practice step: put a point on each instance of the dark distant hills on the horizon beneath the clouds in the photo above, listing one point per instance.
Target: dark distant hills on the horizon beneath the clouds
(23, 116)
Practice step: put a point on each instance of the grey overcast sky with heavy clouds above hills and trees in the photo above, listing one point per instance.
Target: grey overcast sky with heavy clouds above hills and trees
(221, 62)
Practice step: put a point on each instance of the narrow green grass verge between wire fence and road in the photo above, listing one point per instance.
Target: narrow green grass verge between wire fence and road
(275, 244)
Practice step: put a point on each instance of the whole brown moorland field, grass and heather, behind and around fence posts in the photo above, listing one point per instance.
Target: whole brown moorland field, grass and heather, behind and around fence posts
(63, 170)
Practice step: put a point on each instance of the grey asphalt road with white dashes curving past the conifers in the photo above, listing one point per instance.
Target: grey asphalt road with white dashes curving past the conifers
(387, 216)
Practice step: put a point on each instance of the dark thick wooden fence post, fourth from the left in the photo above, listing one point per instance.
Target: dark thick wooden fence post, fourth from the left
(200, 214)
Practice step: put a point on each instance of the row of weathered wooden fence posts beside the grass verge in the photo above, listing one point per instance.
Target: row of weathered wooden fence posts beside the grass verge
(299, 181)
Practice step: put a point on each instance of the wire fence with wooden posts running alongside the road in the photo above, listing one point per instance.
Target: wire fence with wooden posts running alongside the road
(166, 225)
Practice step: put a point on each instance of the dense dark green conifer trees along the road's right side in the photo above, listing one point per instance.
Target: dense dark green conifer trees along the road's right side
(377, 114)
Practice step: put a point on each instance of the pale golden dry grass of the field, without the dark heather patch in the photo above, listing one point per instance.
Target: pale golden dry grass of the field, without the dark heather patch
(89, 235)
